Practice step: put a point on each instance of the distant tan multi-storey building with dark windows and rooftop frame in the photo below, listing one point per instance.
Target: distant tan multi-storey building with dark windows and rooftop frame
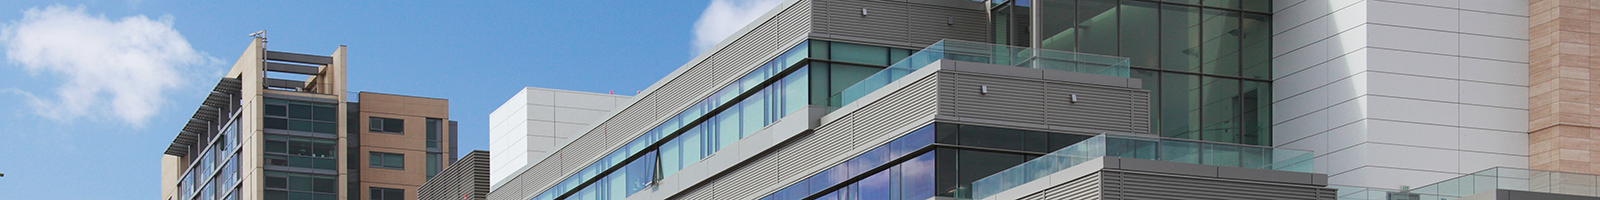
(282, 127)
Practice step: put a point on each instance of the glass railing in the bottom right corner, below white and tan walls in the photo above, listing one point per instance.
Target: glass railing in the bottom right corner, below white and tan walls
(1487, 182)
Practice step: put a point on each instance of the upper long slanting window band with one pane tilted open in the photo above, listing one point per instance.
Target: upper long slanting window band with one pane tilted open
(802, 76)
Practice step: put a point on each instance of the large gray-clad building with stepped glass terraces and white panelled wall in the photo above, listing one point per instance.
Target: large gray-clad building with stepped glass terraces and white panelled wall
(914, 100)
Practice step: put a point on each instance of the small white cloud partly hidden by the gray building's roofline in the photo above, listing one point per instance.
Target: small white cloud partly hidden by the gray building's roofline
(724, 18)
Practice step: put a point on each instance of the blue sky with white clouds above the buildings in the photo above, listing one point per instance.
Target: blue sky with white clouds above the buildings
(76, 129)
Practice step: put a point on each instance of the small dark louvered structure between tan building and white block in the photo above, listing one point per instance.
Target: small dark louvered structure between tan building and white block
(465, 180)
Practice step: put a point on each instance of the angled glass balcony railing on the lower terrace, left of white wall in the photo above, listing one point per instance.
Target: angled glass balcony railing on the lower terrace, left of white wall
(1150, 150)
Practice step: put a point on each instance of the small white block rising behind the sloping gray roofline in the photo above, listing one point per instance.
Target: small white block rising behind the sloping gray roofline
(537, 122)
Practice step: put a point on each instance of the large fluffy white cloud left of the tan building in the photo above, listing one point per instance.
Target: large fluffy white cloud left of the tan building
(119, 70)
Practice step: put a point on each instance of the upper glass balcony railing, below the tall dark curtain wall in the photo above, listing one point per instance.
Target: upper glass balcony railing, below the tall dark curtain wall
(988, 54)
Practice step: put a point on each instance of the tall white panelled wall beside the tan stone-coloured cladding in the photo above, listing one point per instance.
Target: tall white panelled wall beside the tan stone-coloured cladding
(1402, 92)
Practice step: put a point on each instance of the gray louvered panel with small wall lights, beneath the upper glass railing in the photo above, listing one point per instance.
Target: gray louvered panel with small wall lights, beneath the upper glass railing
(1034, 103)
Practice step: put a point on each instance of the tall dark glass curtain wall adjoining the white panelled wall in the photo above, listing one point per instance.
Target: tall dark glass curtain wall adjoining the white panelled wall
(1207, 63)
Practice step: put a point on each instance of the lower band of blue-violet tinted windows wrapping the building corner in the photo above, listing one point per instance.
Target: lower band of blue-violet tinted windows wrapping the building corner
(937, 161)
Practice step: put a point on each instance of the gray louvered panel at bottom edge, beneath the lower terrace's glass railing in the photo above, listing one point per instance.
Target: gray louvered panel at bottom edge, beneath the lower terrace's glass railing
(1156, 186)
